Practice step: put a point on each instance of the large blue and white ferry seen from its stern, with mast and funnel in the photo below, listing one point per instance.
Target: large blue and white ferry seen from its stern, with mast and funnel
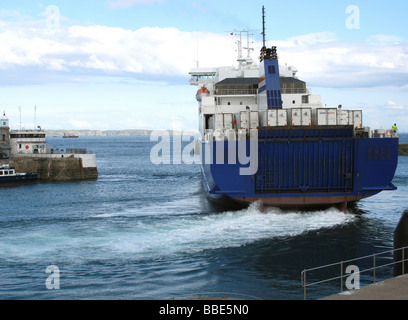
(265, 138)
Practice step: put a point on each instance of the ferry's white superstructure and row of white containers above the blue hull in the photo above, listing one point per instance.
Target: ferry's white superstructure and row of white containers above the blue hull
(228, 97)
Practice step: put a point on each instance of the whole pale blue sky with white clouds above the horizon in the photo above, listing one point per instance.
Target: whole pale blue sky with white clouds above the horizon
(123, 64)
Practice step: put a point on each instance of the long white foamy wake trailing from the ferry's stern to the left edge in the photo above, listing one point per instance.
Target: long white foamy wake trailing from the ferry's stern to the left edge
(157, 235)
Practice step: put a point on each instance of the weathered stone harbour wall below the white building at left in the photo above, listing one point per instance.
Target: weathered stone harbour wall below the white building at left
(57, 168)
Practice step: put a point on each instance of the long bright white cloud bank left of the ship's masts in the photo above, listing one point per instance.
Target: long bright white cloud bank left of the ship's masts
(157, 51)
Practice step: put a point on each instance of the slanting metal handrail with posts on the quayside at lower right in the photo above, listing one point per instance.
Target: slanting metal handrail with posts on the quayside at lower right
(342, 266)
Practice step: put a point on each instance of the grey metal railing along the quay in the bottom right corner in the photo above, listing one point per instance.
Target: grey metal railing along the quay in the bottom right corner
(342, 264)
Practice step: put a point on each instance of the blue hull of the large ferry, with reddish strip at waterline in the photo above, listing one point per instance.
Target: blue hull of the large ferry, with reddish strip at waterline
(302, 167)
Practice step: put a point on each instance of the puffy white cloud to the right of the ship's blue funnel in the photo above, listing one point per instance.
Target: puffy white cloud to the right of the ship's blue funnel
(325, 61)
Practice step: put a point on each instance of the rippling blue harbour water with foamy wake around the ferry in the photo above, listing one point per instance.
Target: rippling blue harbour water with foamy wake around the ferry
(145, 231)
